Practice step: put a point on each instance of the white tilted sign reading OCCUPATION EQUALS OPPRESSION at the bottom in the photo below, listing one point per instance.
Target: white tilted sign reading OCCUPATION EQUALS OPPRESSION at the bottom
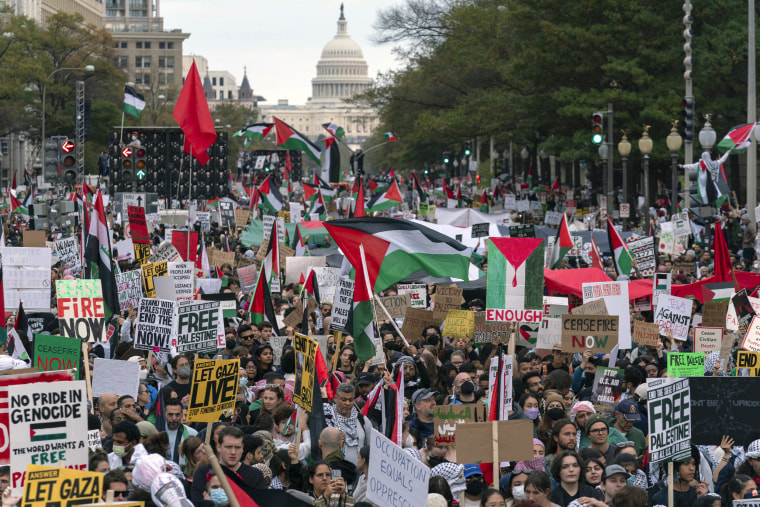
(395, 477)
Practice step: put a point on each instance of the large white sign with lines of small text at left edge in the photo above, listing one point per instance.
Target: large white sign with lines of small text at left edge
(26, 277)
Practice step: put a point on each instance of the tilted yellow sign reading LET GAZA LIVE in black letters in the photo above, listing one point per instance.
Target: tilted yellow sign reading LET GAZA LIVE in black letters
(215, 383)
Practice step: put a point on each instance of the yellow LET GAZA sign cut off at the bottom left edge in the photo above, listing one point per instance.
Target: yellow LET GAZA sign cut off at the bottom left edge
(48, 486)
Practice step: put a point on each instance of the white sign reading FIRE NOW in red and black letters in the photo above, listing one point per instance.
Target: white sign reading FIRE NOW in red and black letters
(80, 309)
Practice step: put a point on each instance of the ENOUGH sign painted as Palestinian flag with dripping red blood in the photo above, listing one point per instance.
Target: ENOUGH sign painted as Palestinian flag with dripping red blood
(515, 280)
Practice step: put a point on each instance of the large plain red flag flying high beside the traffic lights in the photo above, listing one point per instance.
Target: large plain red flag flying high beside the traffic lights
(194, 117)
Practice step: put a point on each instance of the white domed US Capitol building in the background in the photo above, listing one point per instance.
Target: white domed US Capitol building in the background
(341, 74)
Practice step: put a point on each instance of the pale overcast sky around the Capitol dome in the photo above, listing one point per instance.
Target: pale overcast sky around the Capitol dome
(280, 41)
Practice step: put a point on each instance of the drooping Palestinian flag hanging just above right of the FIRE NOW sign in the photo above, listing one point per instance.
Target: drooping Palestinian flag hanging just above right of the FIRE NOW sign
(98, 262)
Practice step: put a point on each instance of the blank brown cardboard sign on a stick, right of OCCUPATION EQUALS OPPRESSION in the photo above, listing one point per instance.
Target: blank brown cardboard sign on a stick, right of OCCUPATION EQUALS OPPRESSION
(475, 441)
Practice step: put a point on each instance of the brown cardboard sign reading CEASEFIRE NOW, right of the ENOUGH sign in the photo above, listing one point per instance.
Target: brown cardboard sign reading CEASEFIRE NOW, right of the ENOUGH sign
(598, 333)
